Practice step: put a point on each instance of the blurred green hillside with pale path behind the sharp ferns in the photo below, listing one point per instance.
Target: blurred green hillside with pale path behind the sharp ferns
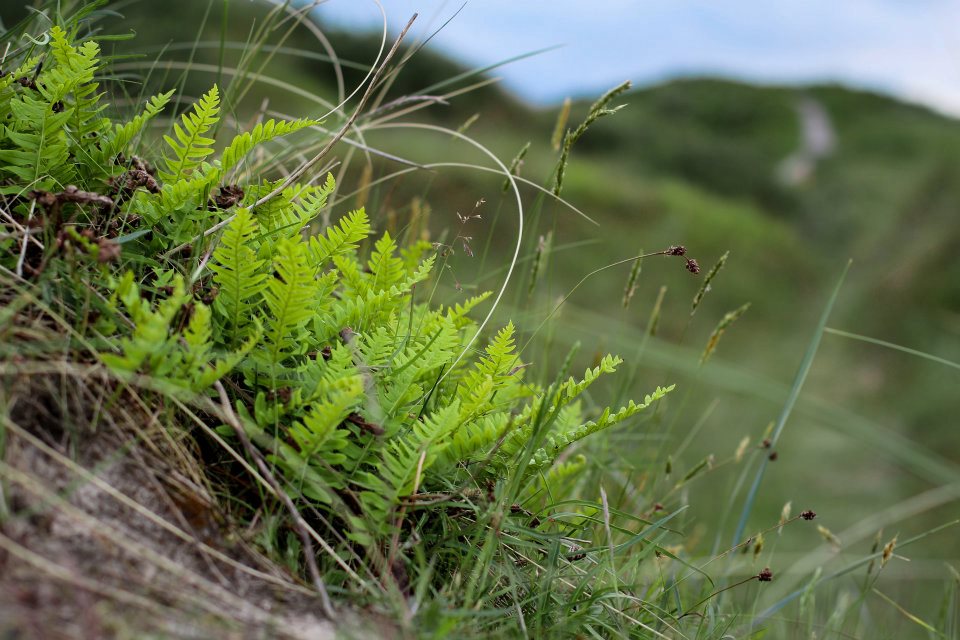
(792, 181)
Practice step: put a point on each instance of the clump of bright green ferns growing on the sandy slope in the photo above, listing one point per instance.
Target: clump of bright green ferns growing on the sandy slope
(360, 398)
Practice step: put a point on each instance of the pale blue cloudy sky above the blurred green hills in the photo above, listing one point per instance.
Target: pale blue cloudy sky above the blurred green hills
(908, 48)
